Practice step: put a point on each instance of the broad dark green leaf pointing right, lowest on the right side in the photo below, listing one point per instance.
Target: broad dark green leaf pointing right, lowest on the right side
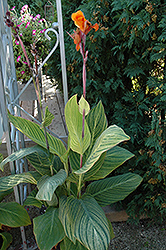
(113, 189)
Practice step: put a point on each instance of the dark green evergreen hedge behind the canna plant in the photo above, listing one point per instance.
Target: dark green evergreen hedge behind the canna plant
(126, 71)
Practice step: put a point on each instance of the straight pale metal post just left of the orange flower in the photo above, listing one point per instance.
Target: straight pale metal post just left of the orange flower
(62, 50)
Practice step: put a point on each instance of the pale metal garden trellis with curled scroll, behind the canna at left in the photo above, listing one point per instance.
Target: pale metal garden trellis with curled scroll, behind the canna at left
(10, 96)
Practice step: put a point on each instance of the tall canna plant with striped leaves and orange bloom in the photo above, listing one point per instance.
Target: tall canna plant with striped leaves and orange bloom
(71, 182)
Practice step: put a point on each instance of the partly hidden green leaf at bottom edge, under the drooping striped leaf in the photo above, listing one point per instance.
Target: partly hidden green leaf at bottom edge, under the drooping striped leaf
(67, 244)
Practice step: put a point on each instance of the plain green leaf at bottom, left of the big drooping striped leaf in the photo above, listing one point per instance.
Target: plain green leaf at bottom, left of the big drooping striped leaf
(48, 229)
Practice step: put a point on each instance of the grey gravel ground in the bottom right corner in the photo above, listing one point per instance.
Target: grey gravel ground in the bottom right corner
(138, 237)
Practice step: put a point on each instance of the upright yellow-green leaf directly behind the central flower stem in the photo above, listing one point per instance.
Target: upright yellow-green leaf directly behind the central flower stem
(74, 124)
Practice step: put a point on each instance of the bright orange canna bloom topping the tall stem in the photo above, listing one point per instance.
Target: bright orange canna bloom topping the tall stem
(84, 25)
